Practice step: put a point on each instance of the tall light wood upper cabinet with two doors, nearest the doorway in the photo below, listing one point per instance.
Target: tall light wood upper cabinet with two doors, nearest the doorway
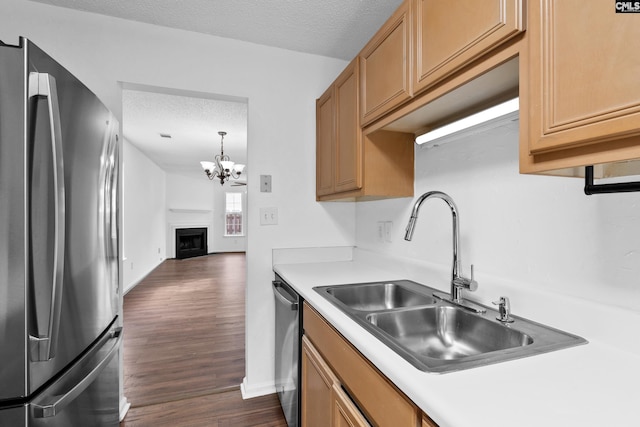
(352, 164)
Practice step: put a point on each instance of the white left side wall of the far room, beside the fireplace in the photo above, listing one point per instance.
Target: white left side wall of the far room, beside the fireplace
(144, 215)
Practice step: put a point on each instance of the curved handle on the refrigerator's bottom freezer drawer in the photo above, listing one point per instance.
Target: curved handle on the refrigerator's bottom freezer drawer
(58, 403)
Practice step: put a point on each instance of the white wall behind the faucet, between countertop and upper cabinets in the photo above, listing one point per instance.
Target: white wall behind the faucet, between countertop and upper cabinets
(534, 231)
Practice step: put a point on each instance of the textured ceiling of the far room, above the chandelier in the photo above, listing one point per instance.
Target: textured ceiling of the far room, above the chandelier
(193, 124)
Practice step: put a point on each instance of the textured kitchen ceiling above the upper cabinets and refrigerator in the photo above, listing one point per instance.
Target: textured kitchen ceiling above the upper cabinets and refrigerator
(333, 28)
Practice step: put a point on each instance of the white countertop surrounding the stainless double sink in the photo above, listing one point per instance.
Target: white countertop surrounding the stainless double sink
(588, 385)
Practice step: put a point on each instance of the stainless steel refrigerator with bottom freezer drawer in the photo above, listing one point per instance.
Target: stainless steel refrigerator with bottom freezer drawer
(59, 329)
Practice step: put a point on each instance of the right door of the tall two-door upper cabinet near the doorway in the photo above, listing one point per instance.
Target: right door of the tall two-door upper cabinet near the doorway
(348, 148)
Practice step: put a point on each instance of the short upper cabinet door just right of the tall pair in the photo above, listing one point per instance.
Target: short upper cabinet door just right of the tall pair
(385, 70)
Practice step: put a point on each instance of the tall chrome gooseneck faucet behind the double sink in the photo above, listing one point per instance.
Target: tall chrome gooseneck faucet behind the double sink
(458, 282)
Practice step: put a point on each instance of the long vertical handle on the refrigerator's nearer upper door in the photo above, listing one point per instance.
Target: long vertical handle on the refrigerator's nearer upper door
(44, 85)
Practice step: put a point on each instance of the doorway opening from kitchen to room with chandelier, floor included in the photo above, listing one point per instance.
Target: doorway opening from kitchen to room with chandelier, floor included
(166, 197)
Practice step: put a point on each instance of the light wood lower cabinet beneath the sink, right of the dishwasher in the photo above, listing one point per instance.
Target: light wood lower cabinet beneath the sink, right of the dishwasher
(361, 394)
